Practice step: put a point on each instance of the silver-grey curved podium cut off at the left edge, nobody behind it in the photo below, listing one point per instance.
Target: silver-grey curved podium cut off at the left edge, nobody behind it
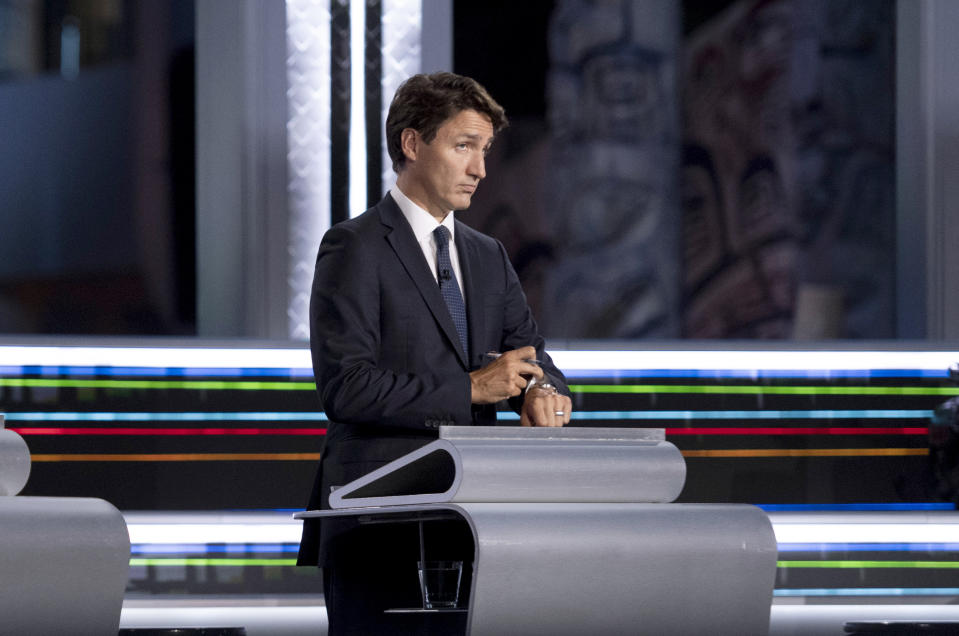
(64, 561)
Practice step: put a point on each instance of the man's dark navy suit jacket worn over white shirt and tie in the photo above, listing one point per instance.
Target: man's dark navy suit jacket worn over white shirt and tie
(386, 355)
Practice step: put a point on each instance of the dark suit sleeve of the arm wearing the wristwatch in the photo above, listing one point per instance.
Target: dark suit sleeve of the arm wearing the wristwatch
(520, 330)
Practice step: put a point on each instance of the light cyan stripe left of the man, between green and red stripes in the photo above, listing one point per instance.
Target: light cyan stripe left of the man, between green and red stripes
(125, 416)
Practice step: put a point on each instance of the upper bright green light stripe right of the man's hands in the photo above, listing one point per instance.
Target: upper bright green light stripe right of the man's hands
(767, 390)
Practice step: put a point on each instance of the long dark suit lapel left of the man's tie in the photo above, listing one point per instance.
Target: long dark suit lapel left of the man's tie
(401, 239)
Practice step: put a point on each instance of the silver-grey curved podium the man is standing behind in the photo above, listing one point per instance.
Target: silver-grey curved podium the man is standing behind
(573, 534)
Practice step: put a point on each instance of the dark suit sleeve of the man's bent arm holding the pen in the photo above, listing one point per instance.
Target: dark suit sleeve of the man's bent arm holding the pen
(345, 341)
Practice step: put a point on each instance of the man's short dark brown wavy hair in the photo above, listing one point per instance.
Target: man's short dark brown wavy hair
(423, 102)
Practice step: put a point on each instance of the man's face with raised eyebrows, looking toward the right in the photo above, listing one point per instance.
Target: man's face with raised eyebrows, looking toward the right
(444, 173)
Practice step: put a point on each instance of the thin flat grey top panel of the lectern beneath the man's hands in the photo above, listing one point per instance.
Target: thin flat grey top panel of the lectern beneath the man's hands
(565, 433)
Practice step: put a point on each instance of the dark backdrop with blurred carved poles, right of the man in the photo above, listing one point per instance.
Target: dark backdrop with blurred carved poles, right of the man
(710, 170)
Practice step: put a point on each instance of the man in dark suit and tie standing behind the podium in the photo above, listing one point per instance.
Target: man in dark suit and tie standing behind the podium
(406, 304)
